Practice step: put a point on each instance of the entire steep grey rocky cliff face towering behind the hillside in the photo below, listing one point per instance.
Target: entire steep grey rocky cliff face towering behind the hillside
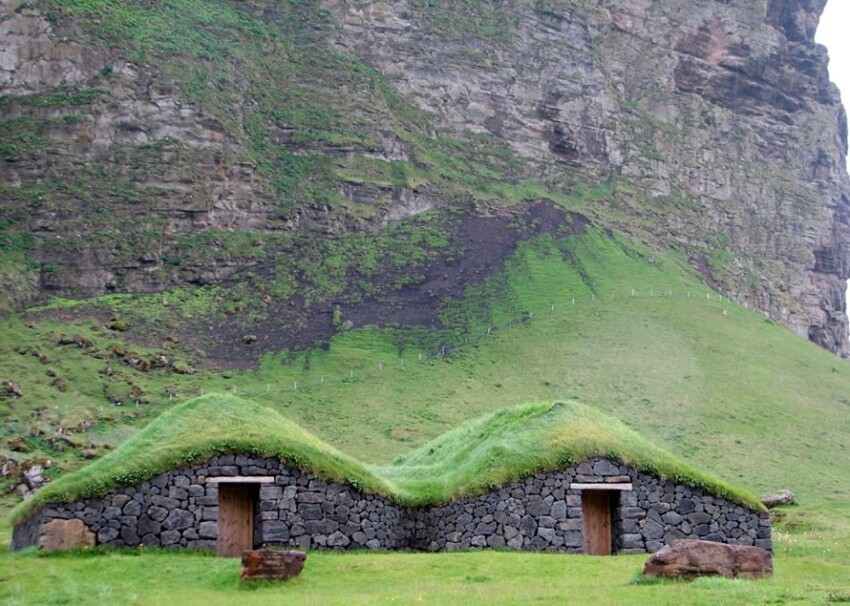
(714, 124)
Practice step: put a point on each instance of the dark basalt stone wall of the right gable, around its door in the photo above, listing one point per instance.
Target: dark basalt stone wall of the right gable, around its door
(543, 513)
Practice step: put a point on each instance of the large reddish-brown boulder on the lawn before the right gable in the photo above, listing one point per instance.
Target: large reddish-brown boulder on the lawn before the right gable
(691, 558)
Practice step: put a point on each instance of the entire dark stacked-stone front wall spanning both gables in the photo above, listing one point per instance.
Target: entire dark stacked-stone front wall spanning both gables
(297, 509)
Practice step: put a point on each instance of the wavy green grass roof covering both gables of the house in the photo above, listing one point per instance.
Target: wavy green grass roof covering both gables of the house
(477, 456)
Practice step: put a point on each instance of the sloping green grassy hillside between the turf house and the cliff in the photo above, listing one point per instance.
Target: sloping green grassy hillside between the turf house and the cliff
(710, 381)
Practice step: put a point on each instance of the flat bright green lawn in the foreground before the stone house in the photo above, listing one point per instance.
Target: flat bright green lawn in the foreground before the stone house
(812, 567)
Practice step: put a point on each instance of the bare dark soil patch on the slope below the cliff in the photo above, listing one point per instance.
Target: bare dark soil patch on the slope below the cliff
(480, 244)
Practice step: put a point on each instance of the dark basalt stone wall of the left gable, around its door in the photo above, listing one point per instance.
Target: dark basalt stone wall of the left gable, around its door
(180, 509)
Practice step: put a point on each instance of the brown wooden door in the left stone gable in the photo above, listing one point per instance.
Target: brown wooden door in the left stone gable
(235, 519)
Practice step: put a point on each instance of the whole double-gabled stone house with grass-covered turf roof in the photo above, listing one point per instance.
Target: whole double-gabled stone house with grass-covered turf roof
(555, 477)
